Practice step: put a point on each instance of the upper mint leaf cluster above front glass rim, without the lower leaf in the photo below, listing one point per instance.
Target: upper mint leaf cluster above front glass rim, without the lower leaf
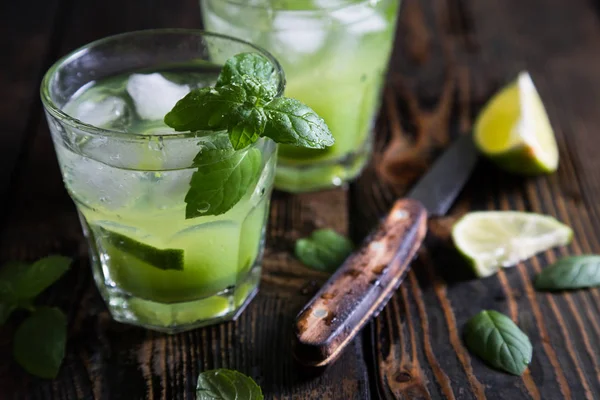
(243, 103)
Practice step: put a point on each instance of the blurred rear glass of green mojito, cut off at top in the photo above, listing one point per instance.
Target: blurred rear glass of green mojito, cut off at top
(335, 54)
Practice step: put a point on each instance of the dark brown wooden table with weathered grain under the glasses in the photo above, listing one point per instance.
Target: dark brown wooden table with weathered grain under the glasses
(450, 56)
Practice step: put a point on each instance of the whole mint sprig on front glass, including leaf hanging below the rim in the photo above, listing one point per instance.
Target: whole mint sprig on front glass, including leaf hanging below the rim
(243, 104)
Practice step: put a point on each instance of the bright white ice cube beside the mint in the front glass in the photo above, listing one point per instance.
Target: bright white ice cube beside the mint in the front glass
(153, 95)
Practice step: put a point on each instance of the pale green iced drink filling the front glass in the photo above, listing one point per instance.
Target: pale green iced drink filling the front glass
(131, 193)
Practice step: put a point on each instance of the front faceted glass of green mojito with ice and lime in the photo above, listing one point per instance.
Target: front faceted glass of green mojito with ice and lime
(128, 174)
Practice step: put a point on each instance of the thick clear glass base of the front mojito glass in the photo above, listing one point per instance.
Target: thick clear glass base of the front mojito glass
(178, 317)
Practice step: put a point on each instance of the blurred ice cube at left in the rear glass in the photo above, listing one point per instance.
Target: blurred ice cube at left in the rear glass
(295, 36)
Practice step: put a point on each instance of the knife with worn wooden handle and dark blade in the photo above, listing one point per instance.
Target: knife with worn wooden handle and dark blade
(368, 278)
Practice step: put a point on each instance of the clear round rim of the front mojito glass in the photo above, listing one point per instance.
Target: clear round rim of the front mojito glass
(51, 107)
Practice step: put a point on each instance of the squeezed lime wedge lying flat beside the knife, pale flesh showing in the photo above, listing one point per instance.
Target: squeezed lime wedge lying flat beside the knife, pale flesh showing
(490, 240)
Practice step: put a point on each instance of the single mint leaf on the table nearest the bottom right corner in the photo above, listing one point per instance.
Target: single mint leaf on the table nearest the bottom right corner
(498, 341)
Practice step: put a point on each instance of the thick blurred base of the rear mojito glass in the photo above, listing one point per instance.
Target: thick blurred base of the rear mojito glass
(297, 177)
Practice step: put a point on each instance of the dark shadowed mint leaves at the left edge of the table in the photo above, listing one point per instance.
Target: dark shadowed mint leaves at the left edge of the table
(39, 343)
